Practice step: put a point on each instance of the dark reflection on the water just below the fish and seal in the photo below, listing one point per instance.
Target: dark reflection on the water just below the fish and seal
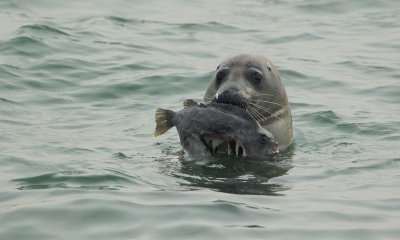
(236, 175)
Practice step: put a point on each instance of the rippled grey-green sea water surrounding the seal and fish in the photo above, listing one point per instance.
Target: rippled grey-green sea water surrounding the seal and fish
(80, 81)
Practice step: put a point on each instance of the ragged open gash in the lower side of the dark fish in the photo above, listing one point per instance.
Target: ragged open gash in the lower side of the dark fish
(222, 144)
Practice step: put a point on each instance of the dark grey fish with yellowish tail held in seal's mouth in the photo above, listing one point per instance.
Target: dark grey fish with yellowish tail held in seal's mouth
(216, 128)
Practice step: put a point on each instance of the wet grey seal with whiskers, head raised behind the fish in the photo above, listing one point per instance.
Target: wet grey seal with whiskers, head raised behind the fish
(253, 83)
